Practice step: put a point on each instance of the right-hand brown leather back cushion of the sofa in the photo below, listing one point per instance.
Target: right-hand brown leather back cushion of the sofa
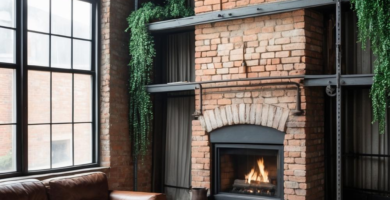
(89, 186)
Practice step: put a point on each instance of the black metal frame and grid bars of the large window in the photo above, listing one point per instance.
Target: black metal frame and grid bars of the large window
(21, 68)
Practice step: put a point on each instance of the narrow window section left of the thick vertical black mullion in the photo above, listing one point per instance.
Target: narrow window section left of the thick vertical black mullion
(8, 100)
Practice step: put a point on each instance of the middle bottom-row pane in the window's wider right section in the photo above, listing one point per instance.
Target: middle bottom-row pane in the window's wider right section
(62, 145)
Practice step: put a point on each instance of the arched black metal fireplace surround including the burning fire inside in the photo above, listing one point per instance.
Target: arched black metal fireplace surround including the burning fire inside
(247, 163)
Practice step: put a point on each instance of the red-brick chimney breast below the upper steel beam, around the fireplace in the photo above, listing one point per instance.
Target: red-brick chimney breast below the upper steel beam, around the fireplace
(276, 45)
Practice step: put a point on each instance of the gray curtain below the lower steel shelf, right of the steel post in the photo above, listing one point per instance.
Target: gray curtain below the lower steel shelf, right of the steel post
(362, 140)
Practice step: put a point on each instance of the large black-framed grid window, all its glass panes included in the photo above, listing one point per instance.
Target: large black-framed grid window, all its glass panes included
(48, 85)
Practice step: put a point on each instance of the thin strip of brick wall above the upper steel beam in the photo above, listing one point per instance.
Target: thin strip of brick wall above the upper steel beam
(203, 6)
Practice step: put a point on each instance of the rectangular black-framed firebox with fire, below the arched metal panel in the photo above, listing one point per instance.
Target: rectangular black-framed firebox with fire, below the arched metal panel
(247, 171)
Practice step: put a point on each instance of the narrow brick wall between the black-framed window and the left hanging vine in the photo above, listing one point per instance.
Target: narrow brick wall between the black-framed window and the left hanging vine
(115, 141)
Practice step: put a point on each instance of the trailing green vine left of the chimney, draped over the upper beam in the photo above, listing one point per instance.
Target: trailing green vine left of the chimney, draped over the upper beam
(141, 65)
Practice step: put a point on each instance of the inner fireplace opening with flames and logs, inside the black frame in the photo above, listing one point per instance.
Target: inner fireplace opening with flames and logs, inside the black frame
(249, 171)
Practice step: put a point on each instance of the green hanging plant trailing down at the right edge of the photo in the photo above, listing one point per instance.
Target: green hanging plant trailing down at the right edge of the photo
(374, 25)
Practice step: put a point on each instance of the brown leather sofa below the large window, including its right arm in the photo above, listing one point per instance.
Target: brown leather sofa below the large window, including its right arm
(90, 186)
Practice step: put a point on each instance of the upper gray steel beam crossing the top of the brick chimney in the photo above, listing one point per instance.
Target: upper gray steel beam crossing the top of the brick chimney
(238, 13)
